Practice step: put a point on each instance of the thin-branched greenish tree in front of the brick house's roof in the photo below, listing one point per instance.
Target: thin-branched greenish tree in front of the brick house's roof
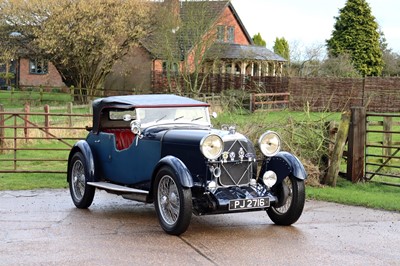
(185, 41)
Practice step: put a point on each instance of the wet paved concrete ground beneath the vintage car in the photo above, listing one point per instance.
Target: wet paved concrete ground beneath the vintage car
(44, 228)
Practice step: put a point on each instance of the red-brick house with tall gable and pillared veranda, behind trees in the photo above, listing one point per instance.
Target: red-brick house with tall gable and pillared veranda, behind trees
(233, 47)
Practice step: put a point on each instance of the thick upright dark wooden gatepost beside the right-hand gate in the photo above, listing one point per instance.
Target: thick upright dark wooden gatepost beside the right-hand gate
(356, 146)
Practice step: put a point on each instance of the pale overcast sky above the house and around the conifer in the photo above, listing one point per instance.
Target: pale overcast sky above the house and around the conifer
(310, 22)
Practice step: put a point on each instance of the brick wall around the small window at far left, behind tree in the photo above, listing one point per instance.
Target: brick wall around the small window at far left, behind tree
(49, 80)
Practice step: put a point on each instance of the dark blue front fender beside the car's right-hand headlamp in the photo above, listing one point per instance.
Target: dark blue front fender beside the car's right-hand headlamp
(284, 164)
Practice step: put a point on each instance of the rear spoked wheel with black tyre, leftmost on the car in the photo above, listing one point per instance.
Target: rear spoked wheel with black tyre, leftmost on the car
(81, 193)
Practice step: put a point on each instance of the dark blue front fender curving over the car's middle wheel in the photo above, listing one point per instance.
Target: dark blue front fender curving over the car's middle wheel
(180, 169)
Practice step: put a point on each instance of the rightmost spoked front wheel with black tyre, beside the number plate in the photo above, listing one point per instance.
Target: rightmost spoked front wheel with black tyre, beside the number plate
(291, 194)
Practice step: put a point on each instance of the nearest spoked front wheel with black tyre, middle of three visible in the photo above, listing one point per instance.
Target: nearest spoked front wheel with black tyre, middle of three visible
(173, 203)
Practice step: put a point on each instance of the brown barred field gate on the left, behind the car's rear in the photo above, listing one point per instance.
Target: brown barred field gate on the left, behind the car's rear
(54, 134)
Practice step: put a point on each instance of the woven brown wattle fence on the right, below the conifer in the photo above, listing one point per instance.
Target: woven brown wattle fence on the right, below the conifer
(339, 94)
